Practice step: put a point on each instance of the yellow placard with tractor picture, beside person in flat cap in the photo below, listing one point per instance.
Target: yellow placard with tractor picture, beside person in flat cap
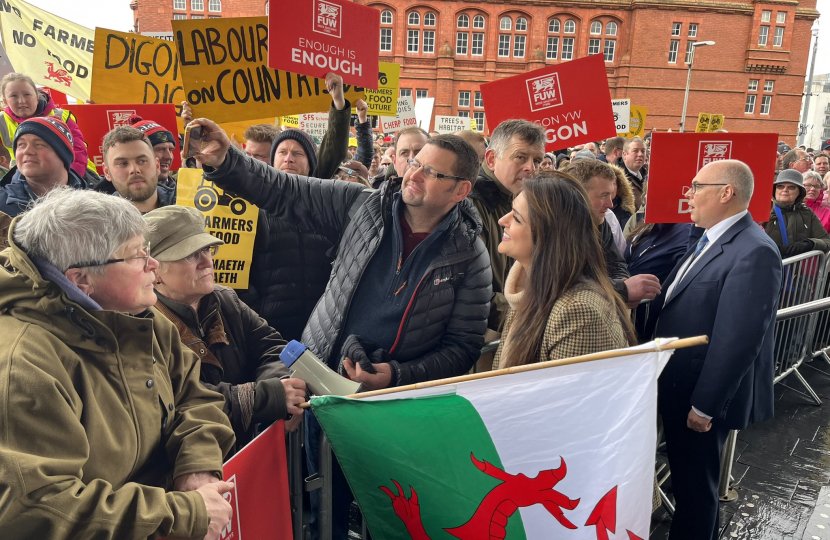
(228, 217)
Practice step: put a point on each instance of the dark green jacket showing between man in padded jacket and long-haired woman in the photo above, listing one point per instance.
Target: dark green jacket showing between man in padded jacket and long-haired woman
(493, 200)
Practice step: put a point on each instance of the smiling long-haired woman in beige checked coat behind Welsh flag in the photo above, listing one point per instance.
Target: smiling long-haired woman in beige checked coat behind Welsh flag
(561, 299)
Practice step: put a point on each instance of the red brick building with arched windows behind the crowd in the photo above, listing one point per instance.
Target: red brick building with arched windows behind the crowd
(754, 75)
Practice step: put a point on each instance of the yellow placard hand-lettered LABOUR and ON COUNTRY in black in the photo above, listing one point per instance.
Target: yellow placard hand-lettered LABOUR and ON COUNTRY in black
(225, 73)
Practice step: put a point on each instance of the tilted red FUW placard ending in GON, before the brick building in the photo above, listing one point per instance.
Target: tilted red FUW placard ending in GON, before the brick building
(571, 101)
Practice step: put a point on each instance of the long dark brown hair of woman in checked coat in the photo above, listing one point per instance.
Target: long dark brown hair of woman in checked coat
(566, 250)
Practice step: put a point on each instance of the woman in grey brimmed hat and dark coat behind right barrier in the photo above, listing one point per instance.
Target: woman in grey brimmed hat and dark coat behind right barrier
(793, 226)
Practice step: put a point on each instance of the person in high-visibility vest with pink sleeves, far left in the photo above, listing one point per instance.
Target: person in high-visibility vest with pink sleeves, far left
(23, 100)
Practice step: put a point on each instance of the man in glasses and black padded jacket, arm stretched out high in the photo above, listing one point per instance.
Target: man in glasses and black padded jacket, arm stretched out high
(409, 293)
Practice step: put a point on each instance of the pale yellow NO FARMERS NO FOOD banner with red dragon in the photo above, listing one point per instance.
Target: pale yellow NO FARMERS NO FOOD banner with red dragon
(54, 52)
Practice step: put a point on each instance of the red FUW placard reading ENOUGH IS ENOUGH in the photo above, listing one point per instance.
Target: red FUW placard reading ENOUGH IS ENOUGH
(315, 37)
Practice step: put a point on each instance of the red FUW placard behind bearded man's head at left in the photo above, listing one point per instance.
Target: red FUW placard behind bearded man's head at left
(96, 121)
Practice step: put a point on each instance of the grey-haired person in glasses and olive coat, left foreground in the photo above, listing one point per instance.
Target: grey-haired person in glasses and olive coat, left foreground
(107, 431)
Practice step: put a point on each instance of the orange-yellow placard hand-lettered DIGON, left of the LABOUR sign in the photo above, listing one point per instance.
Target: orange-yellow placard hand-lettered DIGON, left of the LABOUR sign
(131, 68)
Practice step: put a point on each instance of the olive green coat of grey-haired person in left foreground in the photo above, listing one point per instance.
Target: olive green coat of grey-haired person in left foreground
(100, 411)
